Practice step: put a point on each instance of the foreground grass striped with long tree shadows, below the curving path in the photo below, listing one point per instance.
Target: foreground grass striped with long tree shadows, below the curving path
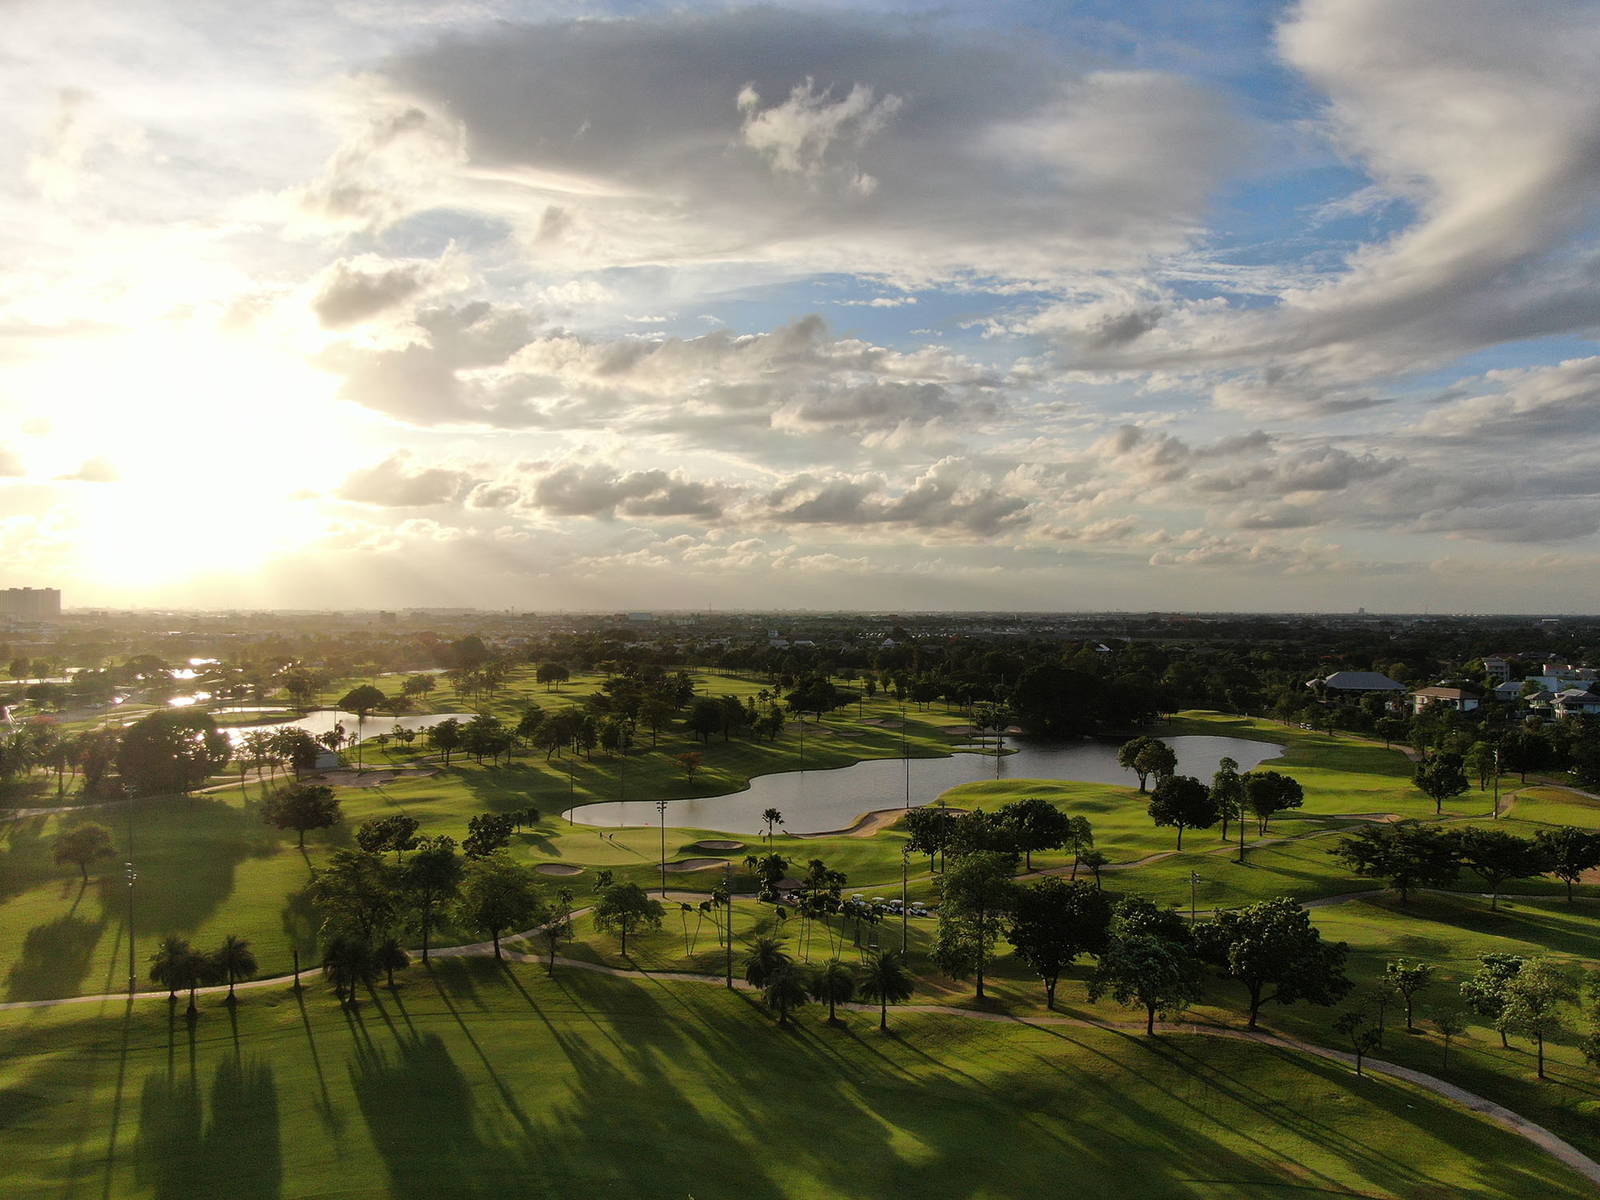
(481, 1082)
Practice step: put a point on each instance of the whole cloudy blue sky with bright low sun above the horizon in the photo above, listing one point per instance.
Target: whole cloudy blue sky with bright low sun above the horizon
(1153, 305)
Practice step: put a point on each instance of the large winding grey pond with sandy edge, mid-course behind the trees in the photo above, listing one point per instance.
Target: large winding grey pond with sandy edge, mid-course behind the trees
(815, 802)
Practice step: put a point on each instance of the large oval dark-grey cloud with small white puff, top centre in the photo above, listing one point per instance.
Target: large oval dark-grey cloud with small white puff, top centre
(801, 140)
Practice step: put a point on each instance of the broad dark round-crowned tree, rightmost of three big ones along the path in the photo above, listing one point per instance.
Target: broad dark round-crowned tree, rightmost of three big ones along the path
(1274, 945)
